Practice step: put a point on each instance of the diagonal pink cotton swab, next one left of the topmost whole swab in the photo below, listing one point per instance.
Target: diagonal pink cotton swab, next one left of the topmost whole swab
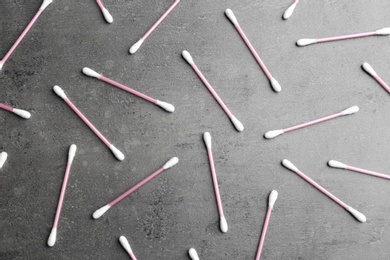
(237, 124)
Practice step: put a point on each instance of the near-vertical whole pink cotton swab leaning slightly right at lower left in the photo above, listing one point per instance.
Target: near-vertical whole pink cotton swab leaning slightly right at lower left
(53, 234)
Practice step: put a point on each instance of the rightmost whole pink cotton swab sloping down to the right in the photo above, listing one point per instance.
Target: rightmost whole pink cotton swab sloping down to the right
(359, 216)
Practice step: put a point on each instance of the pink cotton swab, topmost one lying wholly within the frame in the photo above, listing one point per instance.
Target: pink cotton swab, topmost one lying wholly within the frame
(274, 83)
